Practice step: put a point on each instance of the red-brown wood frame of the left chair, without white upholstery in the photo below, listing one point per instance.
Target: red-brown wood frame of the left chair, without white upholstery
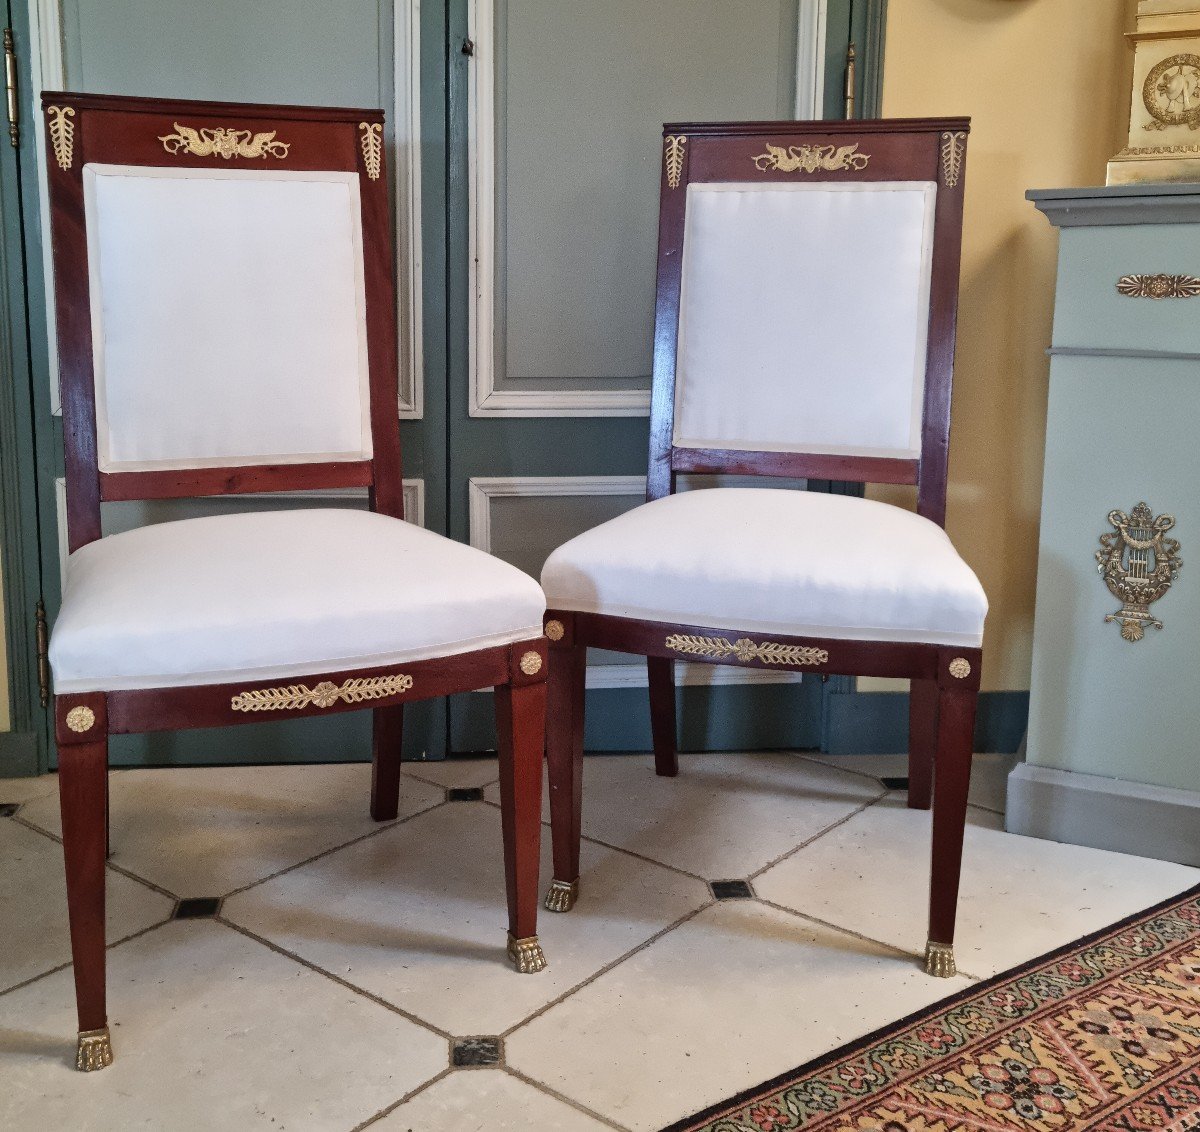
(129, 131)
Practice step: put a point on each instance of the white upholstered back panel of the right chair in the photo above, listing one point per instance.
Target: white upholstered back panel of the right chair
(803, 318)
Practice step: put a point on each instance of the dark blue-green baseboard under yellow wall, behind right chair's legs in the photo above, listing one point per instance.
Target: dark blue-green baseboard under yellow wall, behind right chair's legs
(877, 723)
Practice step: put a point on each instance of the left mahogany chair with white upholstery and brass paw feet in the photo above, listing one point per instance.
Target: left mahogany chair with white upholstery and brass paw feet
(227, 324)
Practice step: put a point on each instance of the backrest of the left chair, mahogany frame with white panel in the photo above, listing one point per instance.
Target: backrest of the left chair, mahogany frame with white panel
(225, 301)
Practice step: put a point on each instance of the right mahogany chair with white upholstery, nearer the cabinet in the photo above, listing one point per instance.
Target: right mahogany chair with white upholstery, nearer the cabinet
(805, 327)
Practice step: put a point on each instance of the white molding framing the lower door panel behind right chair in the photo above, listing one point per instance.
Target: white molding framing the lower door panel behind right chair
(483, 490)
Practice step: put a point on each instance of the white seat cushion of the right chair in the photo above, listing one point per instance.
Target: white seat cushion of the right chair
(795, 564)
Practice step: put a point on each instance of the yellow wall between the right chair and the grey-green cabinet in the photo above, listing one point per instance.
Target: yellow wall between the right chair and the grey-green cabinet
(1047, 86)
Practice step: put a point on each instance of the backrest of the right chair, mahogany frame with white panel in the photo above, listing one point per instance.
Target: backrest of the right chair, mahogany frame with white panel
(807, 302)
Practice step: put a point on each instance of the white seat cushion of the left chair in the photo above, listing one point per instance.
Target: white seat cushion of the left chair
(277, 595)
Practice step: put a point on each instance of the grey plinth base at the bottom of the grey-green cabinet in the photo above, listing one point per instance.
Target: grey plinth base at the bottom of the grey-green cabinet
(1105, 813)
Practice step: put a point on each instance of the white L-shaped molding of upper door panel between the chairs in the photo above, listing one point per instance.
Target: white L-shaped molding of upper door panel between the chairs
(488, 399)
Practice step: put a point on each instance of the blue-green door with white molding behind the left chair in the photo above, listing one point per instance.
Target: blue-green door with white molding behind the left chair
(351, 53)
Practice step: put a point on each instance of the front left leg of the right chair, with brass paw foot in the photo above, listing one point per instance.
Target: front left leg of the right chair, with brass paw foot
(565, 752)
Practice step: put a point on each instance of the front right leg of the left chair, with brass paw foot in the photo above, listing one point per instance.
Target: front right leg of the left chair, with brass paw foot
(521, 738)
